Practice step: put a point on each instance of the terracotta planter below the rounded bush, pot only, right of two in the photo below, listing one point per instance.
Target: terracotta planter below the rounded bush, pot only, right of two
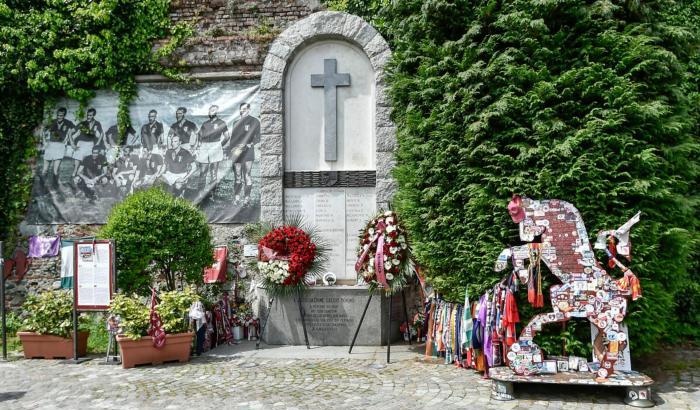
(135, 352)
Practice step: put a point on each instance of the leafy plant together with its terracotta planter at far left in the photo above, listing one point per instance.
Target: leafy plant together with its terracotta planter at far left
(47, 329)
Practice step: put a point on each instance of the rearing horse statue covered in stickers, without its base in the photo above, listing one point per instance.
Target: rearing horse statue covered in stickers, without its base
(586, 289)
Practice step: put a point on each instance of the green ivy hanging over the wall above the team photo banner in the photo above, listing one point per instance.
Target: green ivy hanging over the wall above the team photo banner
(51, 49)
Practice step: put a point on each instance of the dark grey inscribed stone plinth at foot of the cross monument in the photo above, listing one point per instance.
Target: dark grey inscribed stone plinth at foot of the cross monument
(332, 315)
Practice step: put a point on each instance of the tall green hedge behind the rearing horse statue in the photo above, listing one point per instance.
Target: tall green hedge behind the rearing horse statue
(592, 102)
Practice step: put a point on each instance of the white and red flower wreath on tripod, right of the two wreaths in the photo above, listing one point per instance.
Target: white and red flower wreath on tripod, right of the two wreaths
(384, 256)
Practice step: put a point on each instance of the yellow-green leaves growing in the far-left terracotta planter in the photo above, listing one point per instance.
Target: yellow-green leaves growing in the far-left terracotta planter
(50, 313)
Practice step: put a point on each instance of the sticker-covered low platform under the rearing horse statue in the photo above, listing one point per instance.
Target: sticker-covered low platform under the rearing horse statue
(638, 392)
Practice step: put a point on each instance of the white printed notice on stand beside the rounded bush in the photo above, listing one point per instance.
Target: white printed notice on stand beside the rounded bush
(93, 279)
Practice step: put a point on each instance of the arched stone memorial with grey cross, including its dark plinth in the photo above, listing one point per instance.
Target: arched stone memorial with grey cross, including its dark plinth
(327, 154)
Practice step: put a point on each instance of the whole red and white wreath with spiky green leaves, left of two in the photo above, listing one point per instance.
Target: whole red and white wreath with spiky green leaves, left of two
(286, 255)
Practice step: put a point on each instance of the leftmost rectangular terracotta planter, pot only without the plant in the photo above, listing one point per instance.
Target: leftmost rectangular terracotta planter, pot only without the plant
(51, 347)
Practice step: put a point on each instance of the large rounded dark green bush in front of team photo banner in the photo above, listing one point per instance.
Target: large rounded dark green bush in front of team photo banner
(158, 236)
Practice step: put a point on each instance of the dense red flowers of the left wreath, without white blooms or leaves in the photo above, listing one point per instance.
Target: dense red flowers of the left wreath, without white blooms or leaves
(292, 244)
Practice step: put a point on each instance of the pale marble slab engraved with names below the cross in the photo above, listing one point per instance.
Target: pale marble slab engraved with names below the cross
(338, 214)
